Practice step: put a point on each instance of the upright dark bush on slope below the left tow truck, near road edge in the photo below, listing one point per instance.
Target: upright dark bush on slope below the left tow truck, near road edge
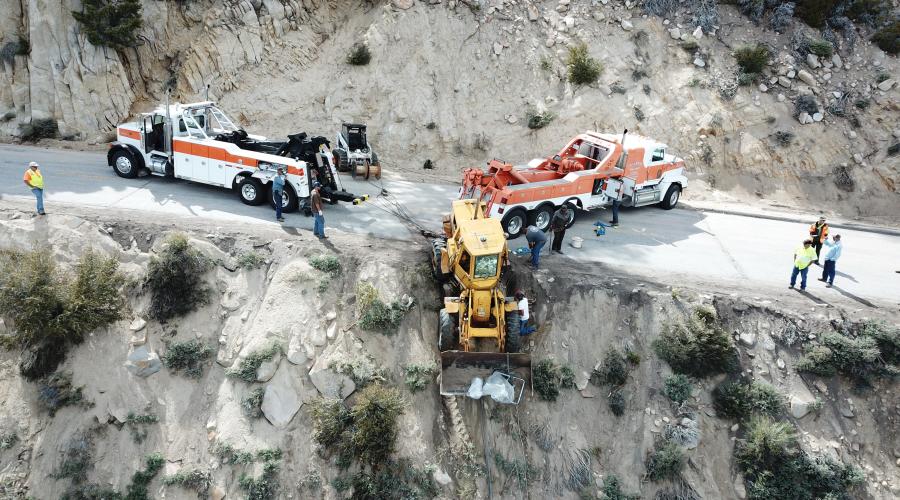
(175, 279)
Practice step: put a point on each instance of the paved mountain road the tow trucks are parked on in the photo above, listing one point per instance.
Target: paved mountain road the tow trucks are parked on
(669, 246)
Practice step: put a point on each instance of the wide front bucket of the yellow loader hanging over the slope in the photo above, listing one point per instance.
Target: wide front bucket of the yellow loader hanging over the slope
(459, 368)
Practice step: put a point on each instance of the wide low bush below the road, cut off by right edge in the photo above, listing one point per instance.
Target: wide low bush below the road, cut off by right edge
(859, 358)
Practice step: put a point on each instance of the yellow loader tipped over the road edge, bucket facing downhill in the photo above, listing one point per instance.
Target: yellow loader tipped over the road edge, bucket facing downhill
(479, 324)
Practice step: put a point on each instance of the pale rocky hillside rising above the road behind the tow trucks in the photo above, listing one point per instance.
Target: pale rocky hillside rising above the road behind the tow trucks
(456, 82)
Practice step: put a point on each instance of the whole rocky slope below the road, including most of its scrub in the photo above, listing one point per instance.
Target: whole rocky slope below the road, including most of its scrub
(241, 396)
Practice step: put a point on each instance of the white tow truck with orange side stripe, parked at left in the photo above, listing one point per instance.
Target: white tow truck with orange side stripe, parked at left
(198, 142)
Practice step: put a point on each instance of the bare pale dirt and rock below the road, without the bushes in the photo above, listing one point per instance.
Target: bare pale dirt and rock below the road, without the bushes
(539, 449)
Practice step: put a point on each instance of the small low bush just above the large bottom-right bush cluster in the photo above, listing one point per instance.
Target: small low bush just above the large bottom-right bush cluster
(739, 400)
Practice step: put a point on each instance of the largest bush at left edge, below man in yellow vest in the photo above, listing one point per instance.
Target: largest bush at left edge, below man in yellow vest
(50, 308)
